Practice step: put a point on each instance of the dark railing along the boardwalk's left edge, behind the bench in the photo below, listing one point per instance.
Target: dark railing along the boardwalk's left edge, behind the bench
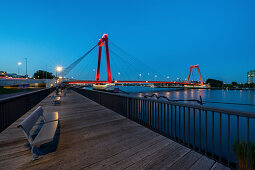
(14, 107)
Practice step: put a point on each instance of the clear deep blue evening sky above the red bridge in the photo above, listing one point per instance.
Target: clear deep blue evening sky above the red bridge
(169, 36)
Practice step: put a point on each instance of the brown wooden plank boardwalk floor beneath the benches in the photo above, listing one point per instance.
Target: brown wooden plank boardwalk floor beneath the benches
(91, 136)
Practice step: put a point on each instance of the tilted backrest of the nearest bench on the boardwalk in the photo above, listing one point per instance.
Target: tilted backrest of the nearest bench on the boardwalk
(28, 123)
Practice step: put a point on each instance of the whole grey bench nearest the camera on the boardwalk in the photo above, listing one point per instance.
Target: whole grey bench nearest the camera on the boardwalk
(46, 133)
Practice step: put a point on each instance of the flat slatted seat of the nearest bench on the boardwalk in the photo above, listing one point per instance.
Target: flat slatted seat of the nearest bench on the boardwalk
(46, 134)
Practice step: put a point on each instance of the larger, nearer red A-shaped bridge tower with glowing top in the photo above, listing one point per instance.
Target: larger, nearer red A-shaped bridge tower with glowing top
(104, 41)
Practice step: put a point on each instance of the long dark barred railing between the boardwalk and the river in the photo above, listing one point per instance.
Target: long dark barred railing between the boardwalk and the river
(227, 136)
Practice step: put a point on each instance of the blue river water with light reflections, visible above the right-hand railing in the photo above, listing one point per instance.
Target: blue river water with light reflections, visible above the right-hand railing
(223, 97)
